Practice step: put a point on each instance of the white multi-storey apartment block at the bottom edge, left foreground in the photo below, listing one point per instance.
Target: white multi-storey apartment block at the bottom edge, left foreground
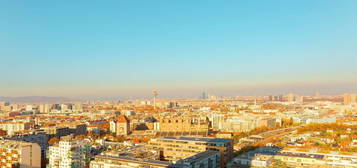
(69, 153)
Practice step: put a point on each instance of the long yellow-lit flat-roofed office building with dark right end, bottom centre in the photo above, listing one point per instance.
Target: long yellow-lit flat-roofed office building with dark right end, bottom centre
(176, 148)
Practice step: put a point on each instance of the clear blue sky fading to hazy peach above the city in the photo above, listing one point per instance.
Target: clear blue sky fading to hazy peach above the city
(179, 47)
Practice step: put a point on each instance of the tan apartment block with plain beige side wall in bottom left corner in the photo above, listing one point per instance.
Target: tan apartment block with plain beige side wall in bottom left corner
(19, 154)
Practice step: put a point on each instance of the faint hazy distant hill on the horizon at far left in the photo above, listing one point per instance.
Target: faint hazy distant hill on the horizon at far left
(34, 99)
